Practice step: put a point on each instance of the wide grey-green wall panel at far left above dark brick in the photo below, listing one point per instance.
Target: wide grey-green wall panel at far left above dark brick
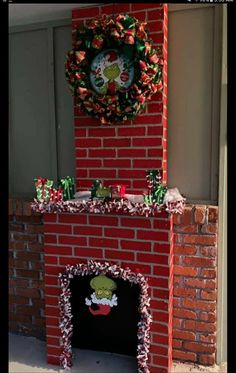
(29, 110)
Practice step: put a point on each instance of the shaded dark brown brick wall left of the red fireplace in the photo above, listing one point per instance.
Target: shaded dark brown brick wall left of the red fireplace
(26, 270)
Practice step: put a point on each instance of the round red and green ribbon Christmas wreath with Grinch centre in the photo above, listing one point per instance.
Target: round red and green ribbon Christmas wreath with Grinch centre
(113, 69)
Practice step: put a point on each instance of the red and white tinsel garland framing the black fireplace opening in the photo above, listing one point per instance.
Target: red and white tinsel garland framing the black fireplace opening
(115, 271)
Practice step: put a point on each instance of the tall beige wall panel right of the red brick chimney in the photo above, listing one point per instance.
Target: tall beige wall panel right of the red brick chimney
(194, 95)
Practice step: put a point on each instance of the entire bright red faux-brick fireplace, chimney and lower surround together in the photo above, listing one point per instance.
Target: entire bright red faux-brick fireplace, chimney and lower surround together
(118, 153)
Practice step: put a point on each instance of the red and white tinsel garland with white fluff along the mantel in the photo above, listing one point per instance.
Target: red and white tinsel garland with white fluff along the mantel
(173, 203)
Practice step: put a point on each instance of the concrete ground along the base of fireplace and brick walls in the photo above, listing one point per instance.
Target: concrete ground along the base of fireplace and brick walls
(28, 355)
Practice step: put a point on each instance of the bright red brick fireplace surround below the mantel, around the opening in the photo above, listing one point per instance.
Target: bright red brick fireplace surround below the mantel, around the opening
(143, 244)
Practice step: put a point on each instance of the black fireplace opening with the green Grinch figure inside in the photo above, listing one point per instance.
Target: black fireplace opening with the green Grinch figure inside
(105, 314)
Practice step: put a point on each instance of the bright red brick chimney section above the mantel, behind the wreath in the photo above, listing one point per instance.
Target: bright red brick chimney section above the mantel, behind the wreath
(124, 153)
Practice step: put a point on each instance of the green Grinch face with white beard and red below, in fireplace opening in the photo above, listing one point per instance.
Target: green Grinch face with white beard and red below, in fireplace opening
(102, 296)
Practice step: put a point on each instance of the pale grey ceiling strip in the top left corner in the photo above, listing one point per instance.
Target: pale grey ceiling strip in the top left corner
(21, 14)
